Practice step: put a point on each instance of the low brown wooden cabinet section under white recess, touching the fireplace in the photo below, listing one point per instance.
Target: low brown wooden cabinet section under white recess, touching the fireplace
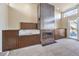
(28, 40)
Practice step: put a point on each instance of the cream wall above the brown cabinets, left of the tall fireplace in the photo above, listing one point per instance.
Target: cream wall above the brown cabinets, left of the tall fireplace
(21, 12)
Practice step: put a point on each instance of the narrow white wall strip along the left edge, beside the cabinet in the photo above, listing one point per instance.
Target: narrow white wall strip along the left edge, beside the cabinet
(3, 20)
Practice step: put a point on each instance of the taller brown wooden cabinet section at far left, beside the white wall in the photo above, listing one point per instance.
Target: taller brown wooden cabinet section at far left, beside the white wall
(10, 39)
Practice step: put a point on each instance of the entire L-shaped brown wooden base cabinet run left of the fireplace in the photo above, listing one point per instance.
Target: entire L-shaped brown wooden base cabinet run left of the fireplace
(12, 40)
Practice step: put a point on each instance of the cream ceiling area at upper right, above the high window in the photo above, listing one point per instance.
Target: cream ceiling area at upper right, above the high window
(64, 6)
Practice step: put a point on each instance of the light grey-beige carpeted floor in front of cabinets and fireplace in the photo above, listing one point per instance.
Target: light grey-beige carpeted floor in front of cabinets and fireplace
(63, 47)
